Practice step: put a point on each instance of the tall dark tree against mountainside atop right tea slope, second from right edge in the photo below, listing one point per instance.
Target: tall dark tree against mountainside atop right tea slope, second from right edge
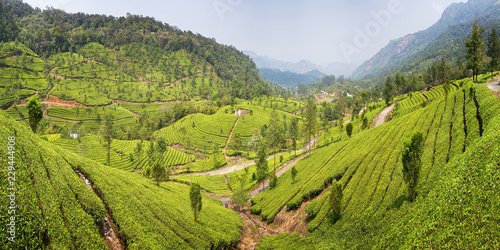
(475, 50)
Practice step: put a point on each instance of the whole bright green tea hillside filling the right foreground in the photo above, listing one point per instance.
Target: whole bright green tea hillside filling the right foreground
(456, 203)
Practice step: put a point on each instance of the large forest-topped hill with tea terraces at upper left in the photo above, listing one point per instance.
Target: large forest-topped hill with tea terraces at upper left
(143, 54)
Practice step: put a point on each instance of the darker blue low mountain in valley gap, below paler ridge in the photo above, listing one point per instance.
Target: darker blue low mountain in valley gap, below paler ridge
(290, 79)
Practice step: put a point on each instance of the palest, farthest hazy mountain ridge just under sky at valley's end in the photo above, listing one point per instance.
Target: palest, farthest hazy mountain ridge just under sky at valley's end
(301, 67)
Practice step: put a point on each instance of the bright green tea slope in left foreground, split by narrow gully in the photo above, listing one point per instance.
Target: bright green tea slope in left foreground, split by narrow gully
(54, 205)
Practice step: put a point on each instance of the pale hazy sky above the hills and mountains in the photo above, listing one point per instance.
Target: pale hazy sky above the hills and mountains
(320, 31)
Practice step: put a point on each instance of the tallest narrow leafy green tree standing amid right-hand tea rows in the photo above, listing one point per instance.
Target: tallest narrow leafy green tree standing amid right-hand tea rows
(411, 159)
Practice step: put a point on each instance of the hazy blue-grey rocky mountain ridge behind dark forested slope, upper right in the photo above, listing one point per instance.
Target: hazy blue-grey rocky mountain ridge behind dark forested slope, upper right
(395, 53)
